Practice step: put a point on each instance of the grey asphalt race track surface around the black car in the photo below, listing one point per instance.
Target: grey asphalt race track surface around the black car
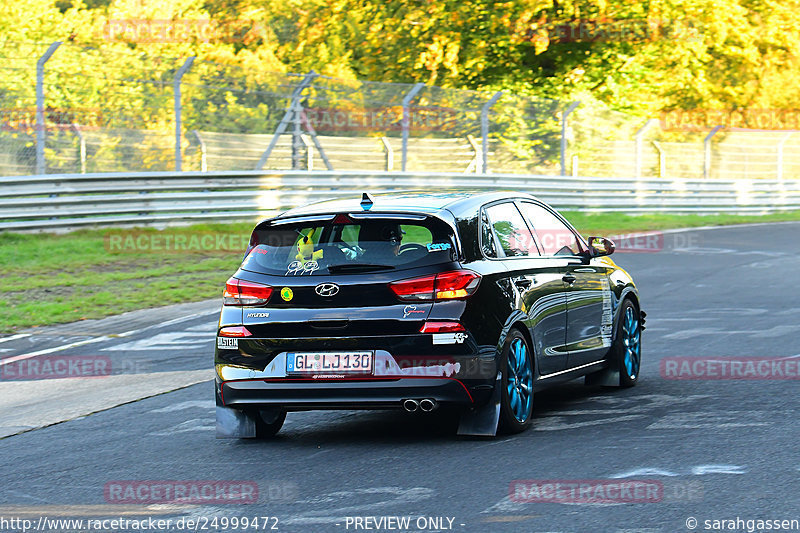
(720, 449)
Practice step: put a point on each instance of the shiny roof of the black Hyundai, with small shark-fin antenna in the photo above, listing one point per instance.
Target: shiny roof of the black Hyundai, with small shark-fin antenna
(457, 202)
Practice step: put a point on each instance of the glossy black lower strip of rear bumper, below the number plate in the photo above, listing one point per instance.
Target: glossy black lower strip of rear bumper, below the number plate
(299, 394)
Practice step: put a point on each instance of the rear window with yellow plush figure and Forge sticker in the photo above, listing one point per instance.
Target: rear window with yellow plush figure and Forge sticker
(350, 245)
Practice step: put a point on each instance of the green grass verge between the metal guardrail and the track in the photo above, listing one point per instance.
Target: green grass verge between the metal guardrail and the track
(56, 278)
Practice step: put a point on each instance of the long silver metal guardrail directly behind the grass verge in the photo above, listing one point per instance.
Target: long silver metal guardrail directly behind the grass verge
(66, 201)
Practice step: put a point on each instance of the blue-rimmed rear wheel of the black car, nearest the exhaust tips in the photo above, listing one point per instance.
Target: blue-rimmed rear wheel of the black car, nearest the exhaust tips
(516, 395)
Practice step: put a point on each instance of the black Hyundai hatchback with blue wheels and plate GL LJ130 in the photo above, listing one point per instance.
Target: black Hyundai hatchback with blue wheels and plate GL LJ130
(420, 300)
